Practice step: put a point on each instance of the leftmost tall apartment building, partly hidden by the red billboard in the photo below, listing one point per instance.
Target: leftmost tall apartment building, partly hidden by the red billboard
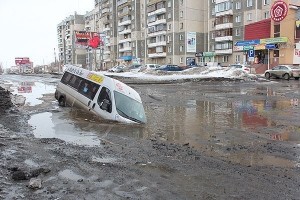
(68, 53)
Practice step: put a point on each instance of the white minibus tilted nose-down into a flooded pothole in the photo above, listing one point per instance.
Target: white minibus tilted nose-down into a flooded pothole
(101, 95)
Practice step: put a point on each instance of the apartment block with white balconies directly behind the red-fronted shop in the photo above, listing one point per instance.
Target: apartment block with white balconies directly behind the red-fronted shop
(227, 26)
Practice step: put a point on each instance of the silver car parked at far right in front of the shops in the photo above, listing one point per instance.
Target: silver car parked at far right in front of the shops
(283, 71)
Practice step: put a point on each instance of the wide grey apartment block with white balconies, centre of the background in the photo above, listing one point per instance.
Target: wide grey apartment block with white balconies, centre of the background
(150, 31)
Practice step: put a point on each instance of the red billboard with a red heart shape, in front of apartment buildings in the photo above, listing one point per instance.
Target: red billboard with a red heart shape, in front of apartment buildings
(83, 39)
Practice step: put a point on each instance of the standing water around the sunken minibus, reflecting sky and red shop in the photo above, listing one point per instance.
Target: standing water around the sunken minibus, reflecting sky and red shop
(222, 119)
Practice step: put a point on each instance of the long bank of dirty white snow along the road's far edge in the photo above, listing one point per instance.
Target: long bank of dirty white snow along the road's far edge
(196, 72)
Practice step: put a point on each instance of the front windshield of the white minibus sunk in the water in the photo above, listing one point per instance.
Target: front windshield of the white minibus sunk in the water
(129, 108)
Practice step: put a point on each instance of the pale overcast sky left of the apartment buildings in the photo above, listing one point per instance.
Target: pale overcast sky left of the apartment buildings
(29, 27)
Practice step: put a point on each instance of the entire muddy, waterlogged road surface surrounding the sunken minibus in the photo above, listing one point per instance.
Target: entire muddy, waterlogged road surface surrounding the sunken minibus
(203, 140)
